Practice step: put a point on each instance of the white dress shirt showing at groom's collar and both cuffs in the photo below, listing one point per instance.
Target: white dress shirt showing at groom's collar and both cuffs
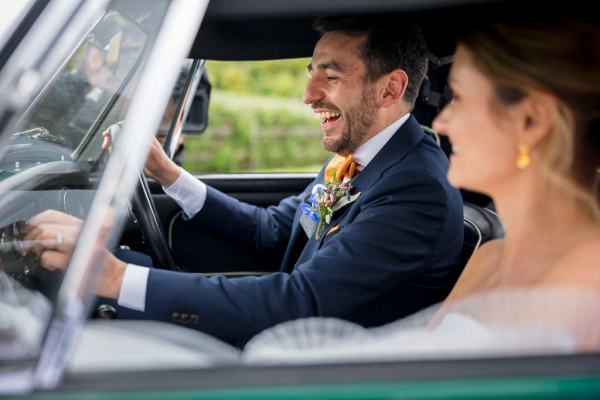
(190, 194)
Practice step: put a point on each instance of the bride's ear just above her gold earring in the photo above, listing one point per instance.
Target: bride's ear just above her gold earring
(537, 118)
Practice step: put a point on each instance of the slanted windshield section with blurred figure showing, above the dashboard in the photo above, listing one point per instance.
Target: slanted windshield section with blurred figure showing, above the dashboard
(91, 79)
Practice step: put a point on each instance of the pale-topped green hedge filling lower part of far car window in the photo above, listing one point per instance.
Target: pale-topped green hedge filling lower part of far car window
(255, 133)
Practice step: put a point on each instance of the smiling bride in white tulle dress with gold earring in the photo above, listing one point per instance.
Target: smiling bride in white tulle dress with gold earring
(524, 122)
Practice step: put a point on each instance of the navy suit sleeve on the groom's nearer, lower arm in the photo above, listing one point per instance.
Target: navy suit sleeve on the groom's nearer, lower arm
(391, 239)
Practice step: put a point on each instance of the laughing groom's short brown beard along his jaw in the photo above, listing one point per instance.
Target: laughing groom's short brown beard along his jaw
(358, 120)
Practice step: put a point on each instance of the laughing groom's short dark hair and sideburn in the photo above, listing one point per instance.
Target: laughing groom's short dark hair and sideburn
(392, 43)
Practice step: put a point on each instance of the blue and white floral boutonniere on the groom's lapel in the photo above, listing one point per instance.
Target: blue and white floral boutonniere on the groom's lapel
(320, 205)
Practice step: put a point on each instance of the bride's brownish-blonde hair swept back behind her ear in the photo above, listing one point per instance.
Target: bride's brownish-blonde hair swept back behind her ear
(559, 57)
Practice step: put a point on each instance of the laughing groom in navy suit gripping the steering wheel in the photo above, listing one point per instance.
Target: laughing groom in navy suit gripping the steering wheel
(392, 251)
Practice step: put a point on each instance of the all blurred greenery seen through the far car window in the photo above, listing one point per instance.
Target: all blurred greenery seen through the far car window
(257, 121)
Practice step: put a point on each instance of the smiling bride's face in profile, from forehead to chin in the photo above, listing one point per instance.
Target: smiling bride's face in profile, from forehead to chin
(484, 145)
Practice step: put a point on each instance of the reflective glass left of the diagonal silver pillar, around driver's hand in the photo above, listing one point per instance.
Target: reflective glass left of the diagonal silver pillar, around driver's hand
(52, 159)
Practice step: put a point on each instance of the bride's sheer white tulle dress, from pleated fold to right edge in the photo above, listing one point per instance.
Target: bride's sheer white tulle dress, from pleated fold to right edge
(507, 322)
